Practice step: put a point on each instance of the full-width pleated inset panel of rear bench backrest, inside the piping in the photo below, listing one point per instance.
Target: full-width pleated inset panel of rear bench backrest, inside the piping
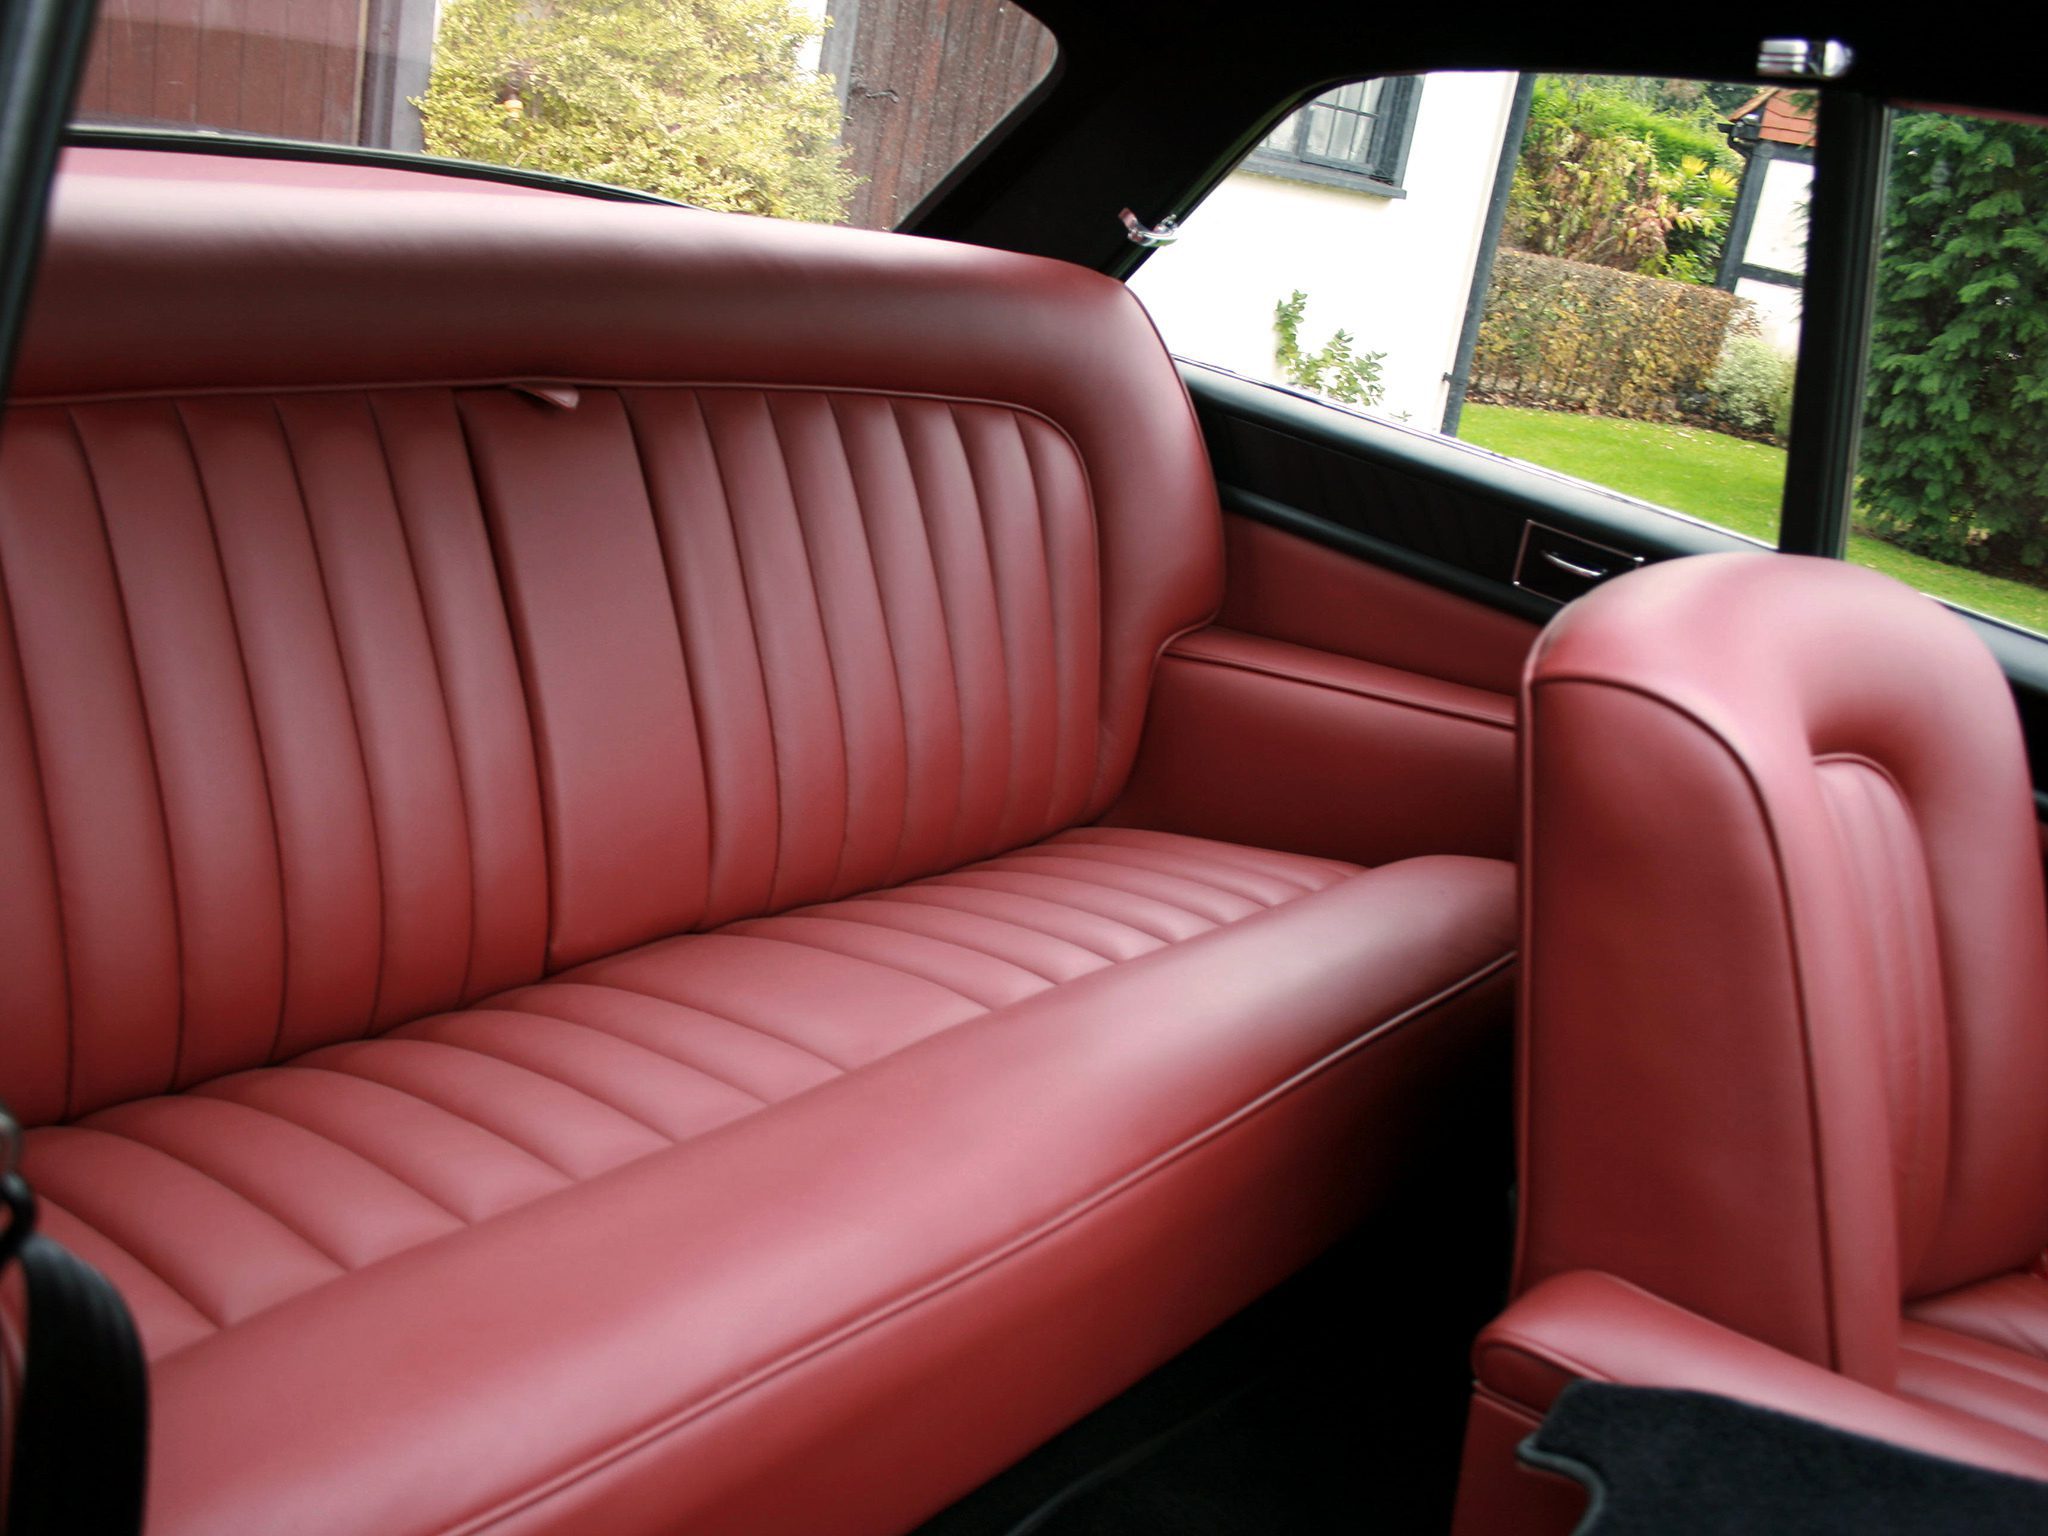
(755, 648)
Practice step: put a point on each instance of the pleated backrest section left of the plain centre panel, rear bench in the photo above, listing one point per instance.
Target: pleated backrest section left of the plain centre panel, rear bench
(269, 765)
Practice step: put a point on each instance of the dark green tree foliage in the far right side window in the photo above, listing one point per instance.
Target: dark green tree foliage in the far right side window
(1957, 421)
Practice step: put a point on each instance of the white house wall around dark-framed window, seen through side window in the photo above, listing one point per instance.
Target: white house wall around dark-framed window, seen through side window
(1392, 271)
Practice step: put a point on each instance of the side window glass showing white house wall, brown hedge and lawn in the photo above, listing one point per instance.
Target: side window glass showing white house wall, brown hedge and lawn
(1594, 275)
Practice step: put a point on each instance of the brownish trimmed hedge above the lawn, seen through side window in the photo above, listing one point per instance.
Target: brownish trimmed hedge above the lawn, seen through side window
(1590, 339)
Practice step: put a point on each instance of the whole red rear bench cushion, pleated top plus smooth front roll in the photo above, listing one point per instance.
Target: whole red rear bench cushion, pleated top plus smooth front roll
(531, 1258)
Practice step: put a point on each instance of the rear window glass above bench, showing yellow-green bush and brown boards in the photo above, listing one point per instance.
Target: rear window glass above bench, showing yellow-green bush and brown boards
(837, 112)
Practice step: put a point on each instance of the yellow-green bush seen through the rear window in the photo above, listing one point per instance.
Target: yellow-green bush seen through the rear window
(693, 99)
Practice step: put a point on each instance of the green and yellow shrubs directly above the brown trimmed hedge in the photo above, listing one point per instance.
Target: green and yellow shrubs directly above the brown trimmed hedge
(1613, 181)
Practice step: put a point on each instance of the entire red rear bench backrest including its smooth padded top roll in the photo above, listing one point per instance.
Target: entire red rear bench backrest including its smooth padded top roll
(419, 589)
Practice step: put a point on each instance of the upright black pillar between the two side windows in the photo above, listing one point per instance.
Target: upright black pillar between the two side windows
(1828, 390)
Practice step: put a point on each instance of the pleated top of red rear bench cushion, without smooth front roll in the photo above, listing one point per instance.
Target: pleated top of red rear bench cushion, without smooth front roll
(357, 1152)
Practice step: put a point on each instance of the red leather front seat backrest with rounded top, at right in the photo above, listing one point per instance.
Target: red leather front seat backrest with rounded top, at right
(1787, 962)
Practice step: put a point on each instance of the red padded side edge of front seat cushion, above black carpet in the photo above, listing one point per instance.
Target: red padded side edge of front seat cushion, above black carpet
(1603, 1328)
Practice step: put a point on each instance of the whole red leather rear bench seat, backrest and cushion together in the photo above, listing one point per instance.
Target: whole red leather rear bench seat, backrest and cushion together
(552, 935)
